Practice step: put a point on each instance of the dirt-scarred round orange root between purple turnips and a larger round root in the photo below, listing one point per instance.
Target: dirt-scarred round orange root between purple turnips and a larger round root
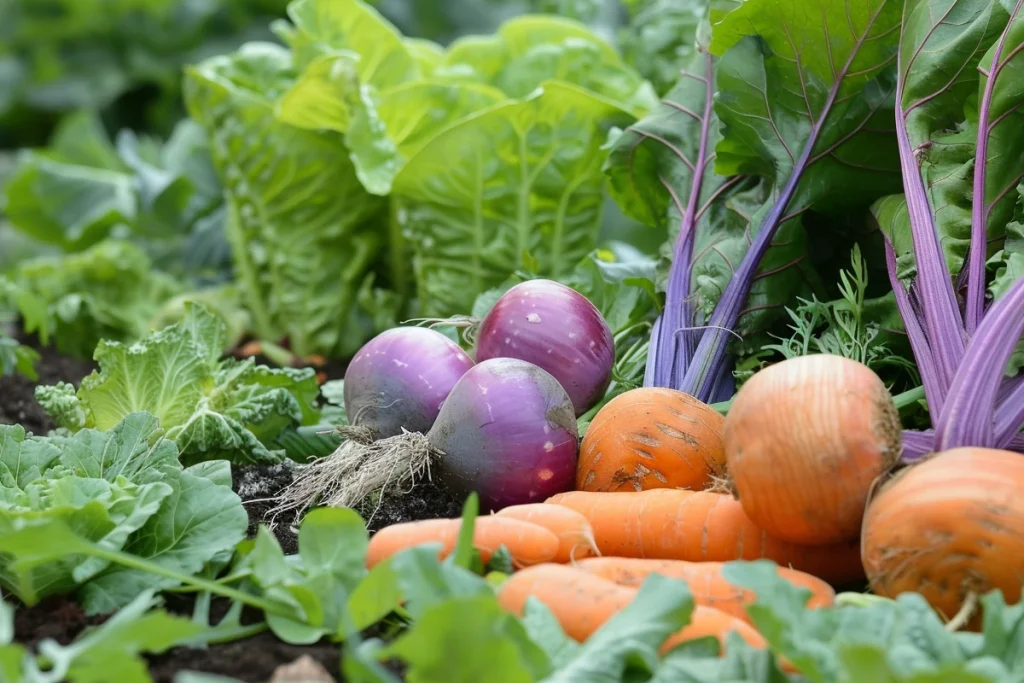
(652, 438)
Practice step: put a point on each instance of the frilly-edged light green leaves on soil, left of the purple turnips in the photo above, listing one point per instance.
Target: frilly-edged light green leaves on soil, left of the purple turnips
(214, 409)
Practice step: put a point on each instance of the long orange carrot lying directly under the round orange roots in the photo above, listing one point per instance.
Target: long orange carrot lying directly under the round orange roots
(699, 527)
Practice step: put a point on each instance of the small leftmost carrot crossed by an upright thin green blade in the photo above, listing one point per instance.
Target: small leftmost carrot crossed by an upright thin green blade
(529, 544)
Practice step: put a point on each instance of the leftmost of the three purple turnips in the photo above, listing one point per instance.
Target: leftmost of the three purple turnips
(401, 378)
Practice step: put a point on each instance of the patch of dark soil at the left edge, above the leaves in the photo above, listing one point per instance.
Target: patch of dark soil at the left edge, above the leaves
(18, 400)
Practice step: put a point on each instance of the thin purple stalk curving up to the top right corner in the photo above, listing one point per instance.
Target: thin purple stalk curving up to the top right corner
(979, 212)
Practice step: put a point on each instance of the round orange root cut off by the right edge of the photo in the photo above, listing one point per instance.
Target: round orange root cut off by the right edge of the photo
(951, 529)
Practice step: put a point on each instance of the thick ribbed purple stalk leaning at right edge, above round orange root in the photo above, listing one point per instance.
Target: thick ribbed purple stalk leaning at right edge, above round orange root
(967, 418)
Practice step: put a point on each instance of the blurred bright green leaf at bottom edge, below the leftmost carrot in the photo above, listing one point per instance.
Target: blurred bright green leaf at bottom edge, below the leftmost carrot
(487, 643)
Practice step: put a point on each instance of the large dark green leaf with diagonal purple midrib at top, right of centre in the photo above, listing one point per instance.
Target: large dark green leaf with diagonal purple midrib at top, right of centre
(806, 88)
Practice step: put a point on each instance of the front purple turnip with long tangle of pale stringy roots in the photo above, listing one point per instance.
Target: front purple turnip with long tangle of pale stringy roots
(507, 432)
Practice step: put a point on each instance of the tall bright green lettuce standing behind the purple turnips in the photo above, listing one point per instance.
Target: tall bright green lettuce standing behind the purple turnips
(355, 112)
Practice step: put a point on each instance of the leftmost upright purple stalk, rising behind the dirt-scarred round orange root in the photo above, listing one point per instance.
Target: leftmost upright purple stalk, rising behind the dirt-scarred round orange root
(671, 340)
